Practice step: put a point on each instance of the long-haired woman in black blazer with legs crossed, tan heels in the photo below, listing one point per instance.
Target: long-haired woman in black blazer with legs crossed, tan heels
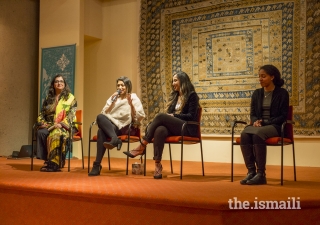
(182, 106)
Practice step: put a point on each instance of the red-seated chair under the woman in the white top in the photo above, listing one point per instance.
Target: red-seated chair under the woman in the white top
(124, 138)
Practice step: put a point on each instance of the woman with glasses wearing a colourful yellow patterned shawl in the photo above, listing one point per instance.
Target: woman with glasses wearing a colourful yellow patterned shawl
(54, 124)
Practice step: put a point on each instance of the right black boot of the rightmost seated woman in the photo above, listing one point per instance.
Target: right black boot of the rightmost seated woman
(261, 158)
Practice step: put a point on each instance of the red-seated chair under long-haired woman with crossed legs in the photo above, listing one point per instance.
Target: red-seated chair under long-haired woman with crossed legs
(182, 140)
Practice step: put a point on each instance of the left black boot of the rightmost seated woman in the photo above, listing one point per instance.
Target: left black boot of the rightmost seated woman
(248, 156)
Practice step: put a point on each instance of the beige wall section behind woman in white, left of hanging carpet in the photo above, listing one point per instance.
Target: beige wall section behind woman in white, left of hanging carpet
(115, 55)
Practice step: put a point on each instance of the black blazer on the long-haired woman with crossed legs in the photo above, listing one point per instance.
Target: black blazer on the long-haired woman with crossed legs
(188, 112)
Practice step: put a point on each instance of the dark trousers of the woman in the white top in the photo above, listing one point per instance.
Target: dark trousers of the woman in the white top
(106, 130)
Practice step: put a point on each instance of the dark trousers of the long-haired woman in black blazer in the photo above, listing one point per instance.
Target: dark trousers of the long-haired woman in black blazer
(161, 127)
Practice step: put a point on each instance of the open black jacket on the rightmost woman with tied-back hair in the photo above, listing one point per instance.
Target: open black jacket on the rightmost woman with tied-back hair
(278, 109)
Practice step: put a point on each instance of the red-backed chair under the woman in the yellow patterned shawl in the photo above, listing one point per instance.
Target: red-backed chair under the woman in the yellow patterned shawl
(76, 137)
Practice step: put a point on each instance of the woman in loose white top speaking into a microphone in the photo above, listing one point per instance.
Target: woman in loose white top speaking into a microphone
(121, 109)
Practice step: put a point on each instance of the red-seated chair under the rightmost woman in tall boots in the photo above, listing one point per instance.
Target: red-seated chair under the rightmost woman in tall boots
(286, 138)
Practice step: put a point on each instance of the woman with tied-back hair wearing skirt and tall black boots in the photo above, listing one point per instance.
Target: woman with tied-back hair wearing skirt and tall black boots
(269, 109)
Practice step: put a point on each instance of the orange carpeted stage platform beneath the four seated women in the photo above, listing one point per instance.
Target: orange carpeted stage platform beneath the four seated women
(33, 197)
